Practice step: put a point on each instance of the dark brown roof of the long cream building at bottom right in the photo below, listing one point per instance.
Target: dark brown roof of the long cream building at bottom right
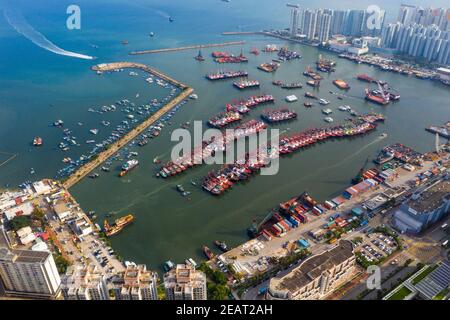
(313, 267)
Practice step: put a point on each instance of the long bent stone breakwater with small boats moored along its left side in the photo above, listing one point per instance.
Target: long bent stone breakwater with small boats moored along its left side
(116, 146)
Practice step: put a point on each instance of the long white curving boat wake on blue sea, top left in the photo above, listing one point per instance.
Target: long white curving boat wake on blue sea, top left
(21, 25)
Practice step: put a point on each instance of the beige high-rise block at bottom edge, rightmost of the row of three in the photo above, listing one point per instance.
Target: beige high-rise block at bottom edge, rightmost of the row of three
(185, 283)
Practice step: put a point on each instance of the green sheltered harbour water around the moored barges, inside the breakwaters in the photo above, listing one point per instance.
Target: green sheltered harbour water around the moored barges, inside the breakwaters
(168, 226)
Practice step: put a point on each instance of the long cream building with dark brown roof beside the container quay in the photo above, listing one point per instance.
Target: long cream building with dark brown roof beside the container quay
(317, 276)
